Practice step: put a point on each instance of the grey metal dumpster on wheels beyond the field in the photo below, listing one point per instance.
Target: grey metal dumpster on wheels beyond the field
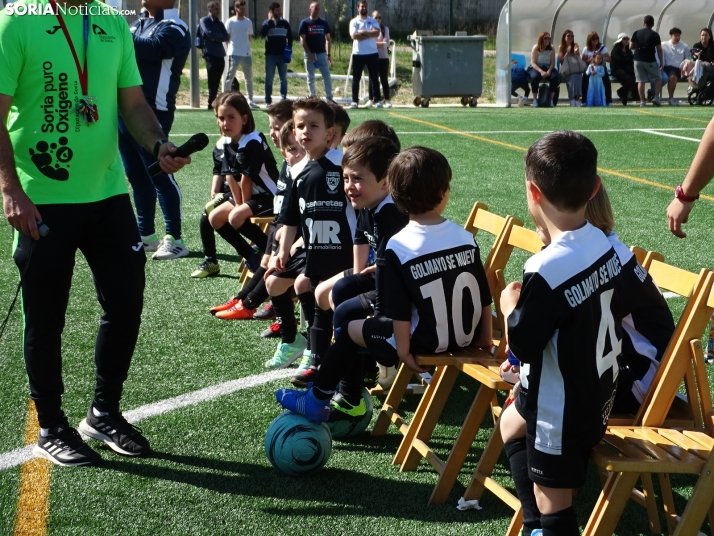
(447, 66)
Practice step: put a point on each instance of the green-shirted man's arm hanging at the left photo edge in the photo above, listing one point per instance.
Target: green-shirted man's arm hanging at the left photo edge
(20, 212)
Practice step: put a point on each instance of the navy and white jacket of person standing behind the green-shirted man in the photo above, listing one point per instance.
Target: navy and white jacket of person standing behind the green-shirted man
(162, 45)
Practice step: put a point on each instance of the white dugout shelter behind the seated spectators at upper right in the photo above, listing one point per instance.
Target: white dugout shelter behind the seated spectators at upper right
(521, 21)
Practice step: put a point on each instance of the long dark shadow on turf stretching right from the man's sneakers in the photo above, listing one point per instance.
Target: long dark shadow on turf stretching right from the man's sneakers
(366, 495)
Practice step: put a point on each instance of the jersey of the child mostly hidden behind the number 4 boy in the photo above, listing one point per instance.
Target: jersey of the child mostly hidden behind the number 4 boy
(648, 324)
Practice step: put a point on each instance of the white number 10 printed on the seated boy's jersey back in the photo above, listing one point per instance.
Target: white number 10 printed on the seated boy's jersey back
(435, 291)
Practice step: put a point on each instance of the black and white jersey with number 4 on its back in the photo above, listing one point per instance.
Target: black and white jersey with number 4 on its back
(567, 331)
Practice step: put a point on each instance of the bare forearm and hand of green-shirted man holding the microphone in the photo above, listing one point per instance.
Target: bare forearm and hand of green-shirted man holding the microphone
(145, 129)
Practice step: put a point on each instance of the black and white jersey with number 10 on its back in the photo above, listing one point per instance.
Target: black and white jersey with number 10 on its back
(434, 279)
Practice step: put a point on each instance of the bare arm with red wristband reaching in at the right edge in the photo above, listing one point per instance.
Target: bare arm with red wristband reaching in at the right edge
(700, 173)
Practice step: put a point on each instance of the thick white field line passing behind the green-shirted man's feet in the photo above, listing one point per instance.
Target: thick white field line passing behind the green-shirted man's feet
(23, 454)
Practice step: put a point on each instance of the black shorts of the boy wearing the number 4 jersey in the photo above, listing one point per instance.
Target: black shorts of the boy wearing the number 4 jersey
(566, 471)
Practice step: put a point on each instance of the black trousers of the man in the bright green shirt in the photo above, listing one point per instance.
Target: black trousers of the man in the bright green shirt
(107, 235)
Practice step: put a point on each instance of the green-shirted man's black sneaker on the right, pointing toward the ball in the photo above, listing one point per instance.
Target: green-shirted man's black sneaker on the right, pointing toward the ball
(121, 436)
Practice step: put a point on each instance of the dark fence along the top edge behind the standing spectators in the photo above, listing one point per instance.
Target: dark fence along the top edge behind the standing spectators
(403, 16)
